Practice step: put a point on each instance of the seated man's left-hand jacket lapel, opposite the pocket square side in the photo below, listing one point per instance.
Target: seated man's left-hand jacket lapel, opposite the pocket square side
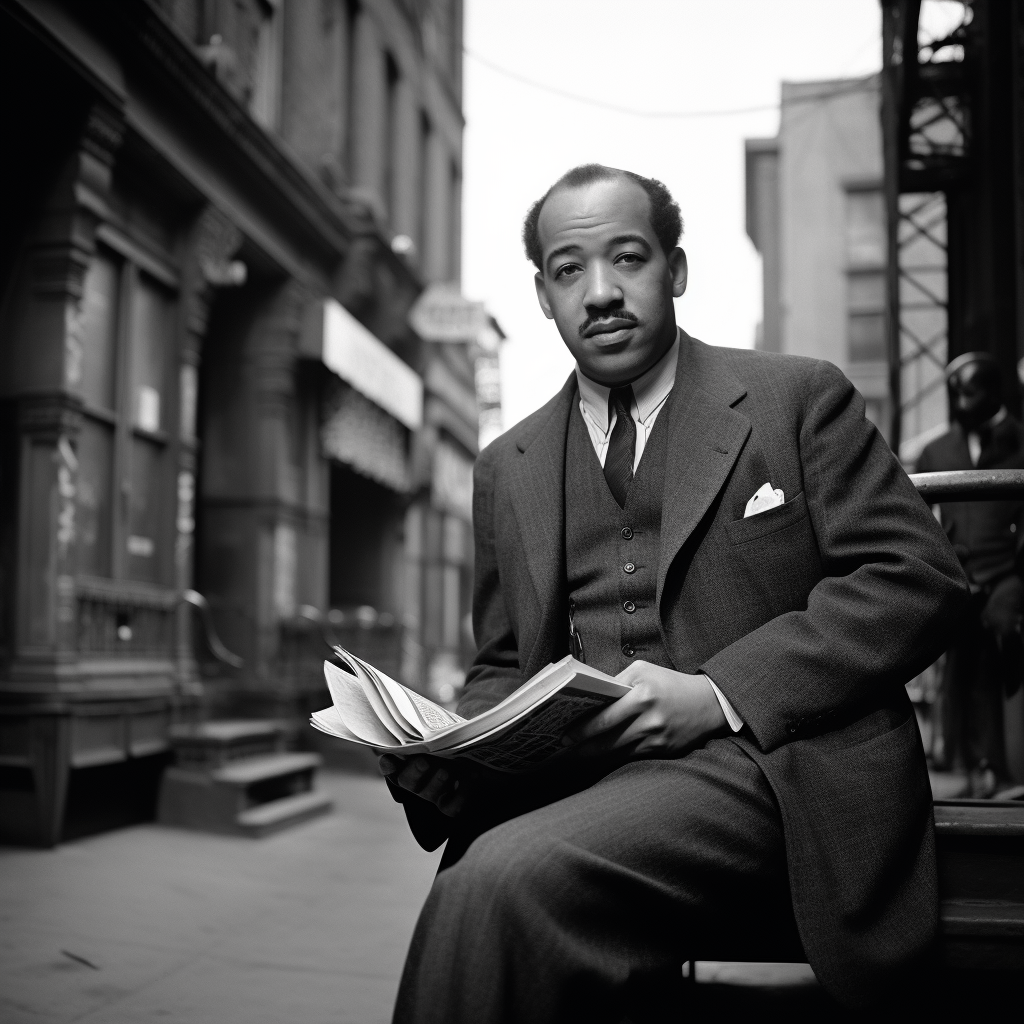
(537, 489)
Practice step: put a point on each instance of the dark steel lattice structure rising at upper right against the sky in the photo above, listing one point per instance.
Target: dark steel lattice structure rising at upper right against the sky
(927, 134)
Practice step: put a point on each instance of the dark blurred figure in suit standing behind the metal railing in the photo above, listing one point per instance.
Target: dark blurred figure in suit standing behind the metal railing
(987, 660)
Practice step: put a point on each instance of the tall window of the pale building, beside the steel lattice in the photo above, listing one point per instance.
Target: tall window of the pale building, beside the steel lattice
(866, 254)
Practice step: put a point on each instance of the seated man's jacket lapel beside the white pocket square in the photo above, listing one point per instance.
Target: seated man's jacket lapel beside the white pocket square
(706, 438)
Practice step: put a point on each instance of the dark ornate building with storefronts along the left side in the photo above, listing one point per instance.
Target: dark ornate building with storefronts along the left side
(220, 216)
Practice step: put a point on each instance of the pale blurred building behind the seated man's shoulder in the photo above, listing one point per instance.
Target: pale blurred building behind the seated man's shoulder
(816, 211)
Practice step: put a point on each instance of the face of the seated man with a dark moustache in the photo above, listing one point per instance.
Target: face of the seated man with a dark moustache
(607, 282)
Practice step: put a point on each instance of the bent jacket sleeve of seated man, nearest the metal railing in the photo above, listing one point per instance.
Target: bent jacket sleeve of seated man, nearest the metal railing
(891, 592)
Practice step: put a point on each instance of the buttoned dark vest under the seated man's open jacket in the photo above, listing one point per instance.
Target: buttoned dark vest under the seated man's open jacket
(612, 553)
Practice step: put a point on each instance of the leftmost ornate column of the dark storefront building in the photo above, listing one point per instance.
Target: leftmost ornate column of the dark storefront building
(46, 371)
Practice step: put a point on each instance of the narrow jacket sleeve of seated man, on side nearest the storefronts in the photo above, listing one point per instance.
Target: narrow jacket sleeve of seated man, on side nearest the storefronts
(495, 673)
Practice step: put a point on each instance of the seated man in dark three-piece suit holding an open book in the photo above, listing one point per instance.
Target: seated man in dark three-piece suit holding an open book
(726, 532)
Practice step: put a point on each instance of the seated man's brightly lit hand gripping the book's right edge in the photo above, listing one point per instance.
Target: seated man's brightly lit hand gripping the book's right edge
(665, 715)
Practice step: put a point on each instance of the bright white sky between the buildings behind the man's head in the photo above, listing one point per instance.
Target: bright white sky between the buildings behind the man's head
(647, 56)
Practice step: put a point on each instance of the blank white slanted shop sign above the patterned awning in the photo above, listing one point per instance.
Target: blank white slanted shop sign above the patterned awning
(368, 365)
